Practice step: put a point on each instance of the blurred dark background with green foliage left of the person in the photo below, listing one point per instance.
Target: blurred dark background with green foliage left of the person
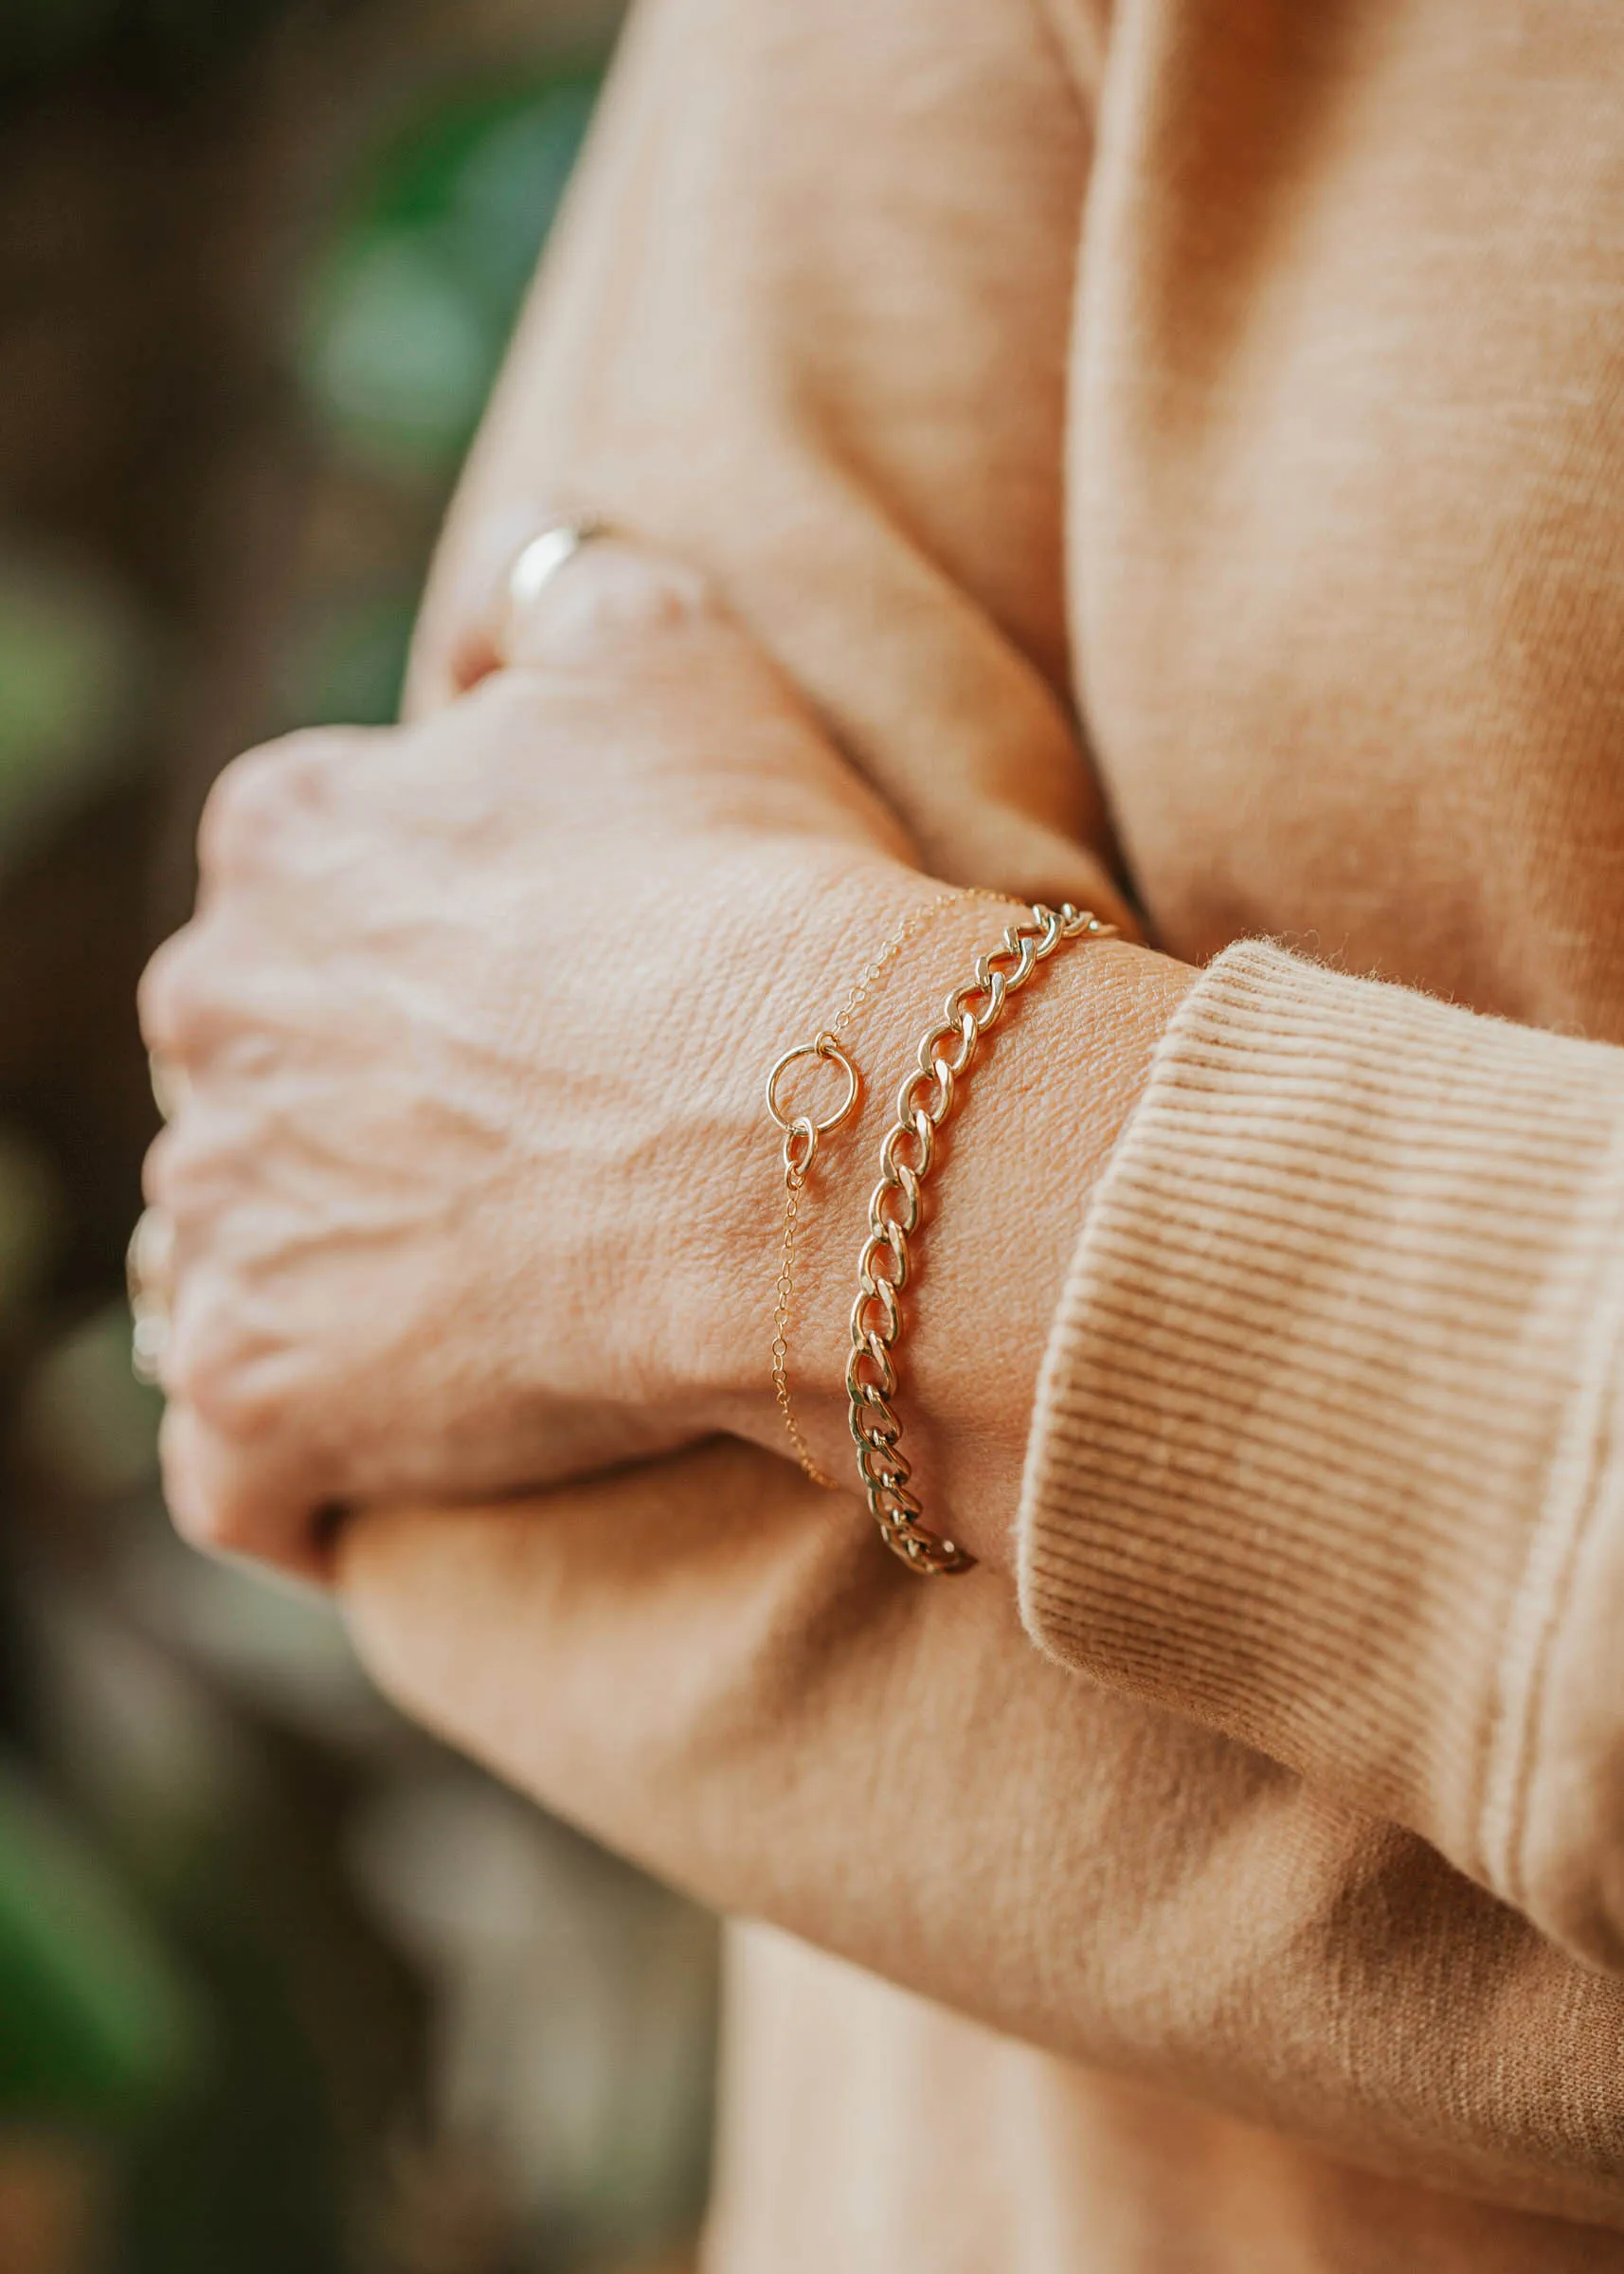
(283, 1986)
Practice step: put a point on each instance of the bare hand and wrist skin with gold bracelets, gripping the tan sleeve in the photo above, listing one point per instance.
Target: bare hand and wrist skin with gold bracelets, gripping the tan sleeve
(472, 1181)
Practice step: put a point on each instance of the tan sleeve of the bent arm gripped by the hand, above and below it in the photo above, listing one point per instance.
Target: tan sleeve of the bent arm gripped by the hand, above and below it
(738, 351)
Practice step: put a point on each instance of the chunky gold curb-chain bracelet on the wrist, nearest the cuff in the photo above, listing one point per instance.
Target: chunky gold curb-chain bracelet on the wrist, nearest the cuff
(877, 1322)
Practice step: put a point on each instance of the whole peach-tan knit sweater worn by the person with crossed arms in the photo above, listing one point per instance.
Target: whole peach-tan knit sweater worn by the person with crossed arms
(1177, 449)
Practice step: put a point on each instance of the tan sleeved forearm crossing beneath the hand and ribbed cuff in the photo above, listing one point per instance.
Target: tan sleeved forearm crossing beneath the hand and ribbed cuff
(713, 1668)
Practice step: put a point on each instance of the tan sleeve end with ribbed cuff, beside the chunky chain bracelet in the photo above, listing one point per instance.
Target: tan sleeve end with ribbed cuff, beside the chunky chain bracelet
(1325, 1452)
